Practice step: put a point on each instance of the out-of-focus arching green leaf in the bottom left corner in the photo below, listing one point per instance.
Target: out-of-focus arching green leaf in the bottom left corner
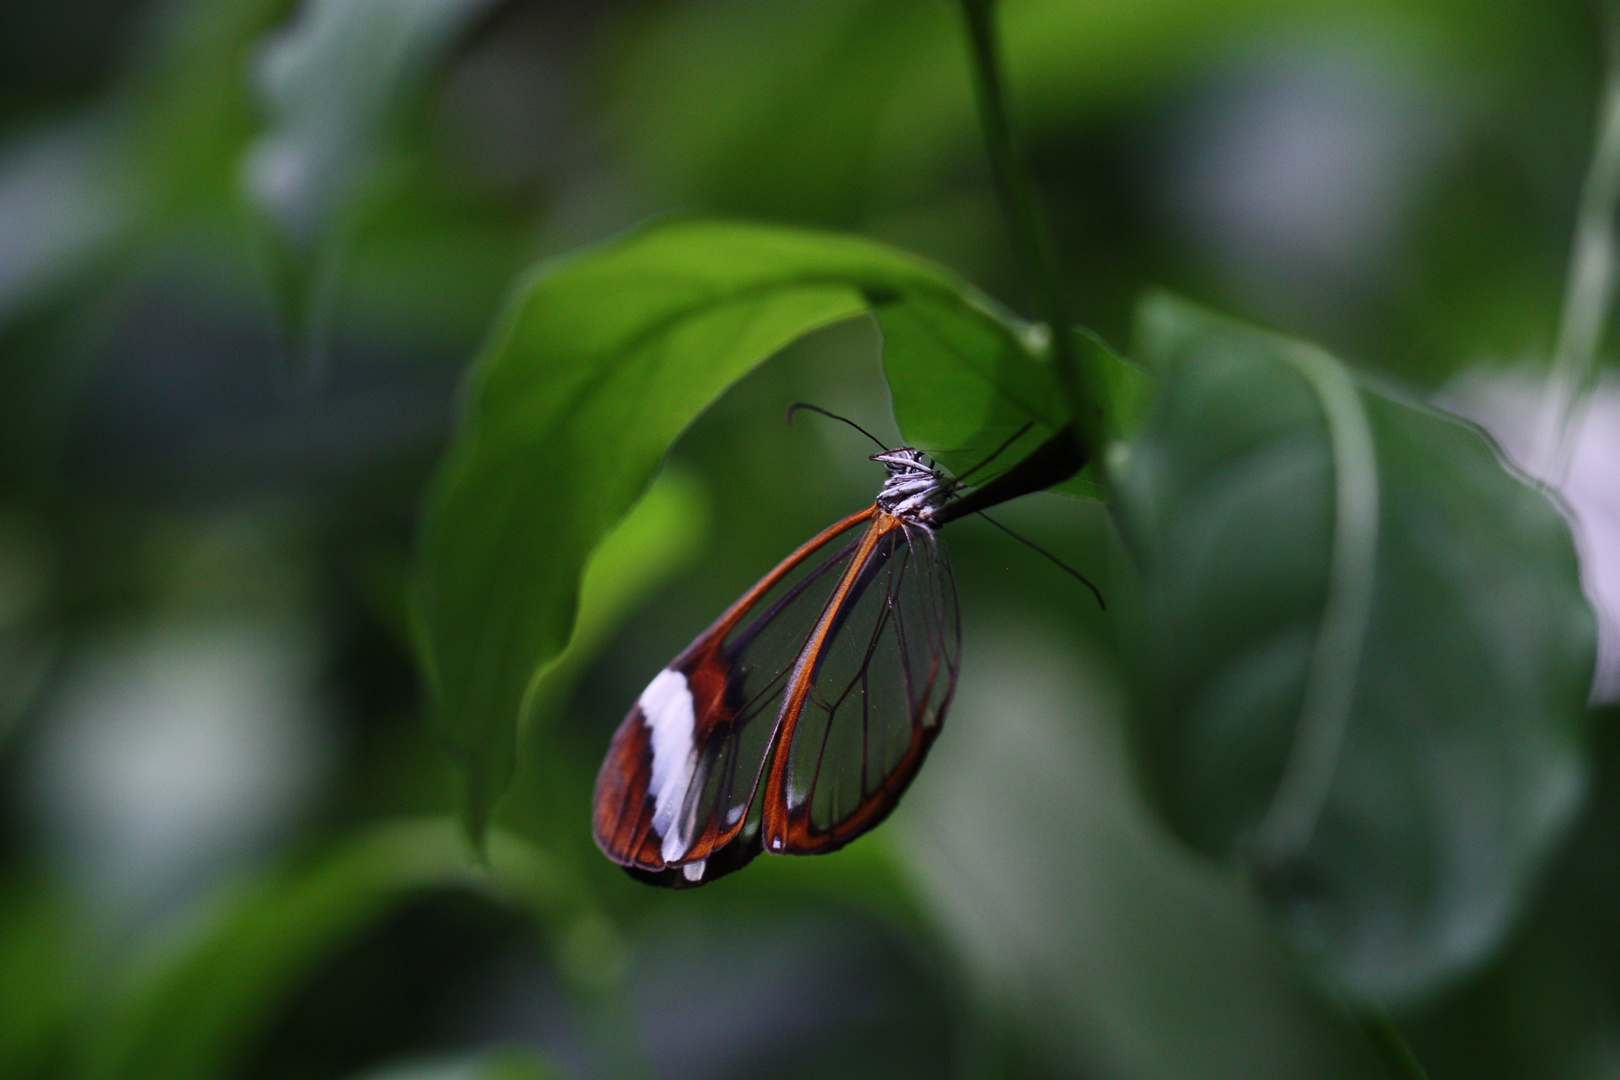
(192, 1010)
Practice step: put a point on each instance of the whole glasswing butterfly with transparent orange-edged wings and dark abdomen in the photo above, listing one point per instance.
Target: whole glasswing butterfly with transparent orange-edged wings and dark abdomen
(798, 720)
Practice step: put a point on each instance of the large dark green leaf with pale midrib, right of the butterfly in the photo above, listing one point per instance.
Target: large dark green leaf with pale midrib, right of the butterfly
(1362, 648)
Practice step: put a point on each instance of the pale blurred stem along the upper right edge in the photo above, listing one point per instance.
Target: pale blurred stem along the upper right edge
(1595, 270)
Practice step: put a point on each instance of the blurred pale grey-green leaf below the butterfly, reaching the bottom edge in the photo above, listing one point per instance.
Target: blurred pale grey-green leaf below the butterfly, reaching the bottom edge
(1120, 951)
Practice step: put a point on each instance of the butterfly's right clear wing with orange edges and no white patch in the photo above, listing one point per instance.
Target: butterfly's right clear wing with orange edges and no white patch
(868, 695)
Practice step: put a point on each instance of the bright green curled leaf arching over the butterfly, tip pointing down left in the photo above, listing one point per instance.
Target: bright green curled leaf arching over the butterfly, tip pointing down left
(600, 364)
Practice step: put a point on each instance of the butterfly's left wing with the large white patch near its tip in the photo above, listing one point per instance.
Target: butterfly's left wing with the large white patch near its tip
(673, 796)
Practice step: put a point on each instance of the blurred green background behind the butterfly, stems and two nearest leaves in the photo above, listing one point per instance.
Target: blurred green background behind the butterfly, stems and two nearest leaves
(247, 249)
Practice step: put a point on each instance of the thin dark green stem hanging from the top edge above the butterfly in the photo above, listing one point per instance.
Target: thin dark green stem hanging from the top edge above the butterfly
(1026, 227)
